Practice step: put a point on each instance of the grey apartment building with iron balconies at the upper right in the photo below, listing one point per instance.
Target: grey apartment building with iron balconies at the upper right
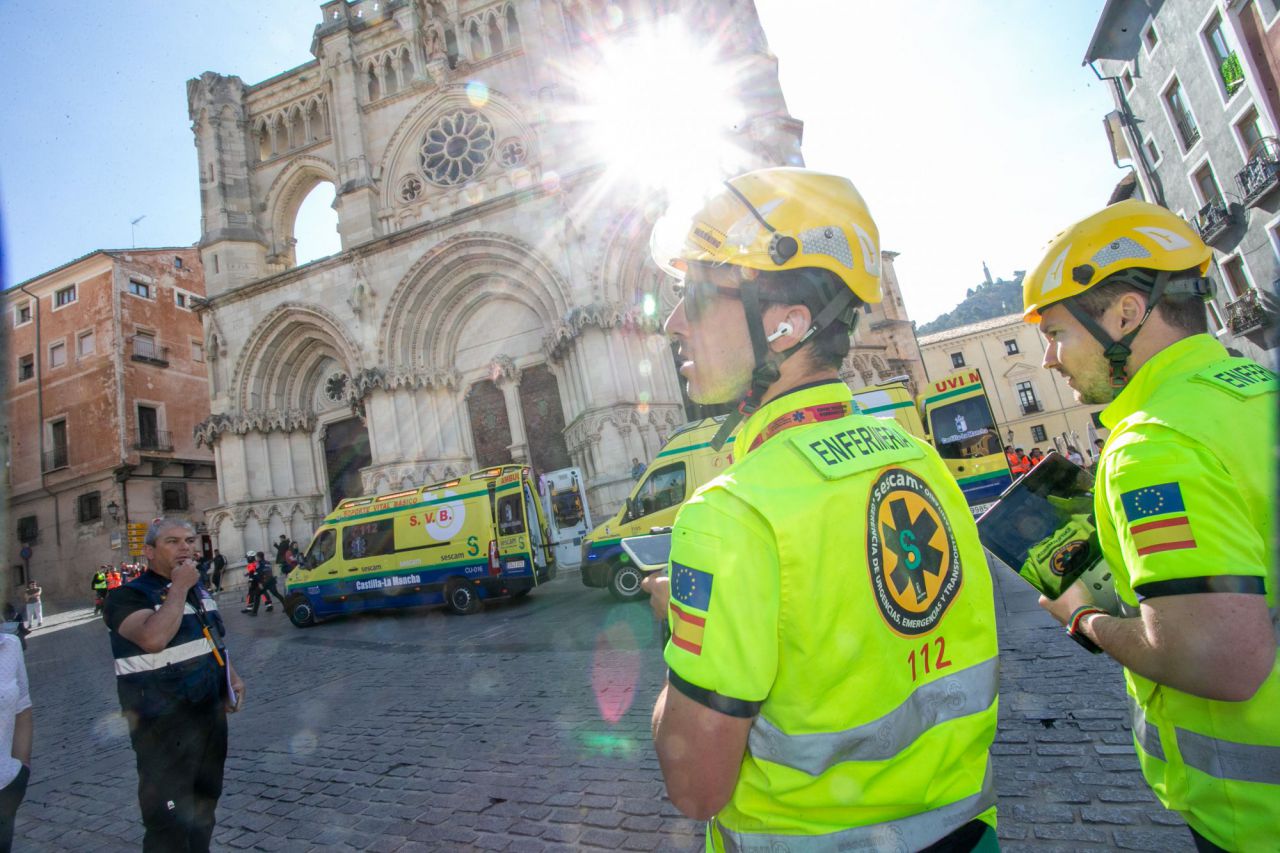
(1197, 97)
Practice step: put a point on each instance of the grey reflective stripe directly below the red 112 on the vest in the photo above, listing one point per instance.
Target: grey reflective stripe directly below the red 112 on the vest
(956, 696)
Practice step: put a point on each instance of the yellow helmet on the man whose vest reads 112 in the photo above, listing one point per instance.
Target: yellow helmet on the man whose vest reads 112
(780, 220)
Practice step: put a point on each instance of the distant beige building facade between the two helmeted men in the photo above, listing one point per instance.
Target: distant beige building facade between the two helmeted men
(1034, 408)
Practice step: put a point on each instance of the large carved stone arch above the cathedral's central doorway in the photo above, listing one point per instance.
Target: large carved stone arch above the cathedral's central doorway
(445, 286)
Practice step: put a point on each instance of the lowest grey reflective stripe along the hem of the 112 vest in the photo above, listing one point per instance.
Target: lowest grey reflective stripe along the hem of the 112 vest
(904, 836)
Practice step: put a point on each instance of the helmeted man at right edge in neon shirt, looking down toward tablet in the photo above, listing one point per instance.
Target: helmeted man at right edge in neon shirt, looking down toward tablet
(1186, 509)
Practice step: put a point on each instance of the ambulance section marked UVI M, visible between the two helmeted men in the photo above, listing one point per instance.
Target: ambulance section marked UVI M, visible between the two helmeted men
(954, 416)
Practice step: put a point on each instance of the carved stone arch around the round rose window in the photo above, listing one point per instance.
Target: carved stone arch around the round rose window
(401, 153)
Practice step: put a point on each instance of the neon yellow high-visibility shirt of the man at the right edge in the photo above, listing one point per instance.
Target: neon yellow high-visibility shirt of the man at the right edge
(1186, 504)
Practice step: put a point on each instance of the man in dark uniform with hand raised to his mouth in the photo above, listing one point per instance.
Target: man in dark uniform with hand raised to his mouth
(176, 687)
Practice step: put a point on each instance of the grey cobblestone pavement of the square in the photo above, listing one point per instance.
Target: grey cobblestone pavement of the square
(523, 728)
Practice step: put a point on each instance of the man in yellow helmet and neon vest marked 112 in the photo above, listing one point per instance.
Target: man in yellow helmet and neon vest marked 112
(833, 664)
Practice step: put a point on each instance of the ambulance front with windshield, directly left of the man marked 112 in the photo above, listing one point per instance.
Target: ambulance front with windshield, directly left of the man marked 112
(684, 463)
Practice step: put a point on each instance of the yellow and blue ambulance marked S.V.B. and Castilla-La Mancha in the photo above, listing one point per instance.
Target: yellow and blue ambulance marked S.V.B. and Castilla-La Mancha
(455, 544)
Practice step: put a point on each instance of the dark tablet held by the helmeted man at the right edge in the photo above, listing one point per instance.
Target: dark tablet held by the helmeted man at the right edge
(1044, 528)
